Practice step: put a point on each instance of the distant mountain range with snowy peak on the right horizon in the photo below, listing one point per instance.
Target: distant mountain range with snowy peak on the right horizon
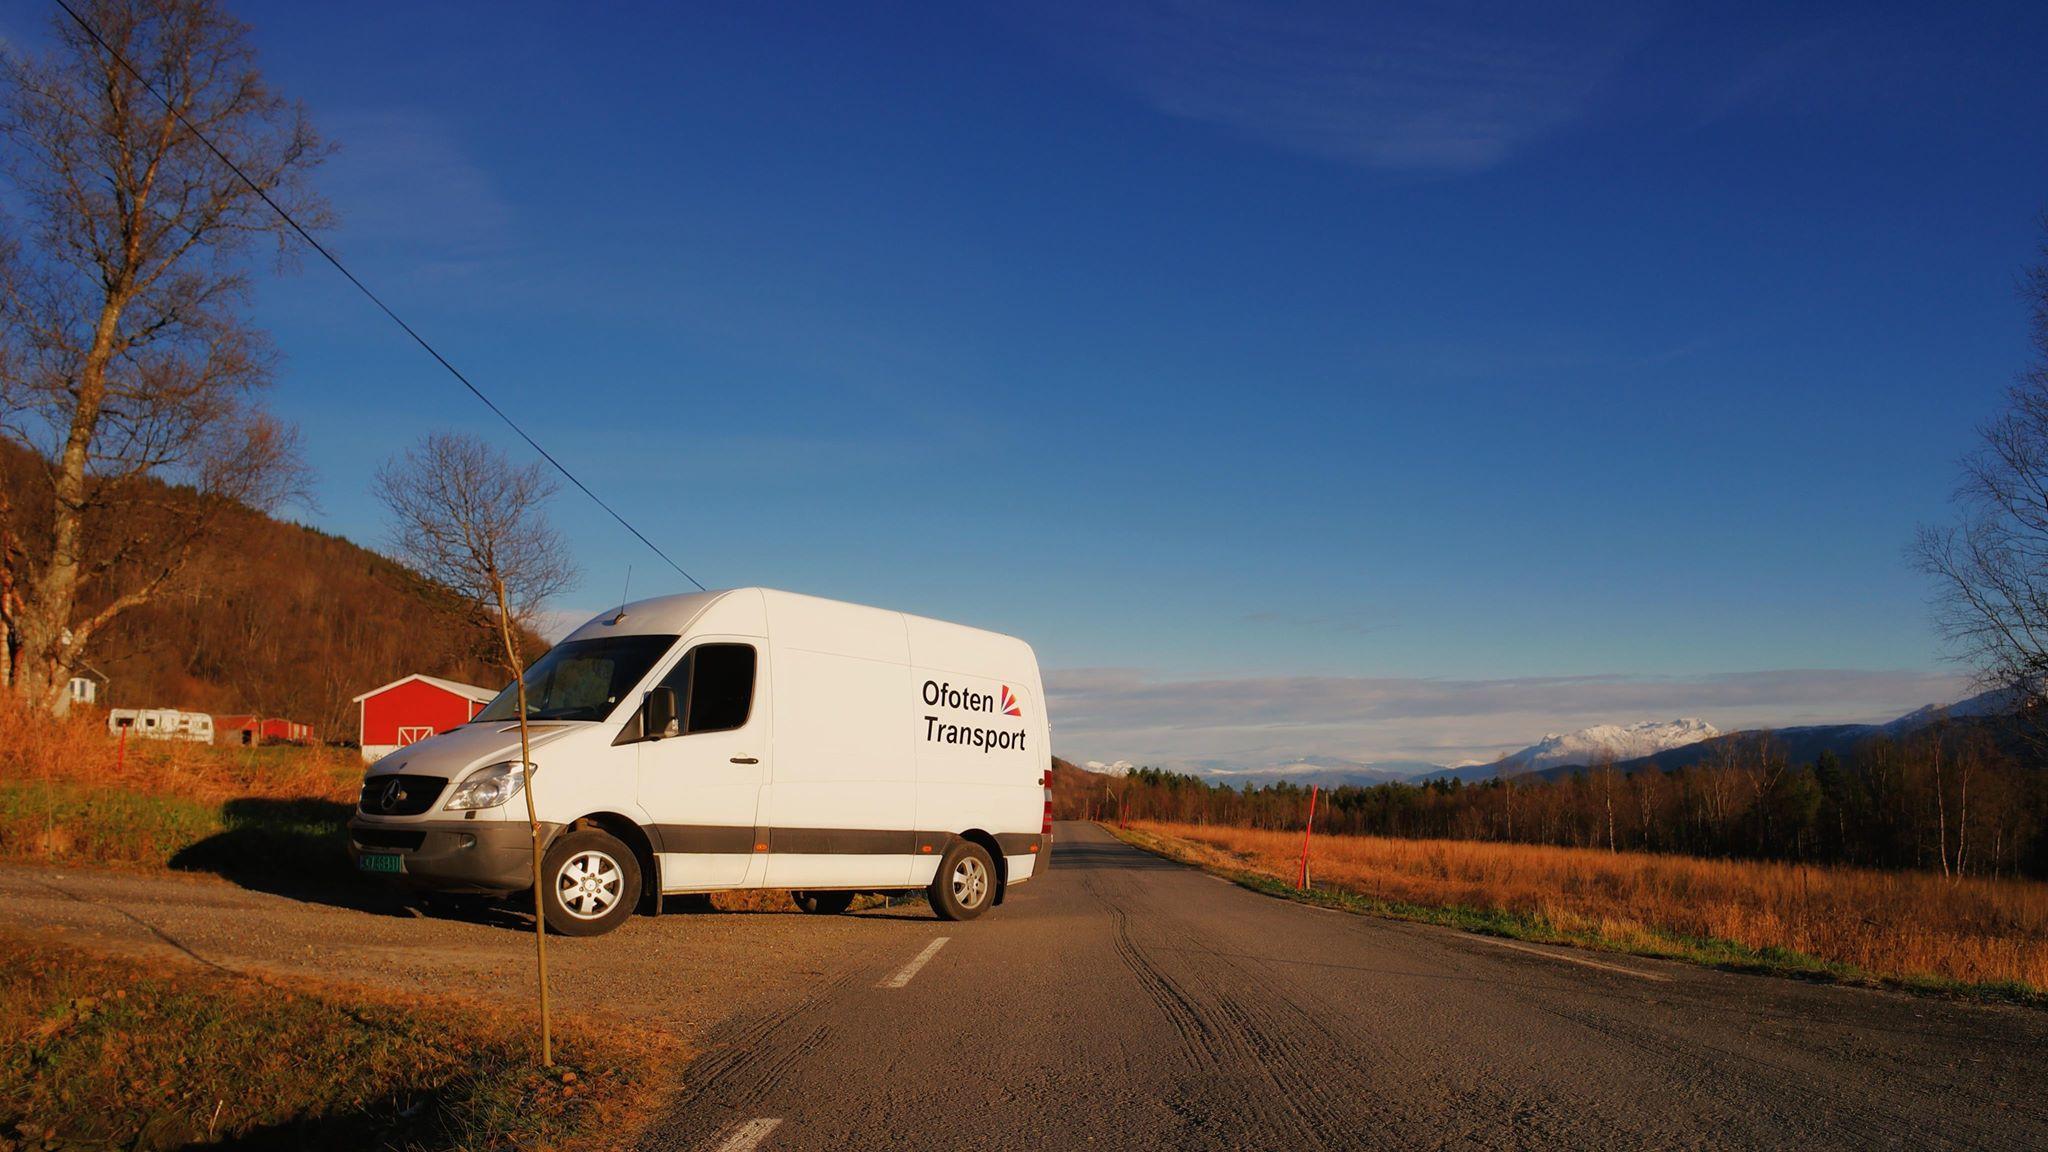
(1654, 743)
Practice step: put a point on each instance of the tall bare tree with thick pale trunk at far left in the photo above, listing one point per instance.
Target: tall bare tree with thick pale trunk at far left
(124, 352)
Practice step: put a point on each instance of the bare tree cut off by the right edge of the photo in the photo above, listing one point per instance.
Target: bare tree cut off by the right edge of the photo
(1992, 567)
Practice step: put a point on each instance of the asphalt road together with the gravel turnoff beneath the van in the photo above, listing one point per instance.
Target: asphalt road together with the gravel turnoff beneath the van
(1132, 1003)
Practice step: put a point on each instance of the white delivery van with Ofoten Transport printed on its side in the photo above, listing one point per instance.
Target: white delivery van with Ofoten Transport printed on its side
(734, 739)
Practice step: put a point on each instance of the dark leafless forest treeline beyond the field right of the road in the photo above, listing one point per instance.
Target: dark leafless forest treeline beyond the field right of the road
(1959, 798)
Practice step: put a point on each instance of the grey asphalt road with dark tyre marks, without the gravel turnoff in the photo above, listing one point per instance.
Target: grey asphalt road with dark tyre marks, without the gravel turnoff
(1134, 1003)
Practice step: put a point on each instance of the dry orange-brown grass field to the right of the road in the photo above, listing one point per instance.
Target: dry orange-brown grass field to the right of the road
(1908, 930)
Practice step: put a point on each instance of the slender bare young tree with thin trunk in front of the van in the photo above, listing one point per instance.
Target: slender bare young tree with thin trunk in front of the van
(470, 520)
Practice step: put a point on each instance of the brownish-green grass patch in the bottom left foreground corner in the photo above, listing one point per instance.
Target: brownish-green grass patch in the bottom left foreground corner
(103, 1053)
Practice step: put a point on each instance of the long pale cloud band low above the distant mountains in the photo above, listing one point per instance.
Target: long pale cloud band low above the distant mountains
(1246, 723)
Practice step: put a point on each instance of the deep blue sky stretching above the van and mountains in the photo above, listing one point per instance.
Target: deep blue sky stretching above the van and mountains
(1306, 354)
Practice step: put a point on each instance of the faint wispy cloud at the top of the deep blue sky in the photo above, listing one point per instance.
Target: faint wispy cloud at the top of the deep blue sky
(1408, 87)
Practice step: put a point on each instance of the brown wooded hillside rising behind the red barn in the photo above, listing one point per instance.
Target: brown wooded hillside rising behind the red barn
(275, 618)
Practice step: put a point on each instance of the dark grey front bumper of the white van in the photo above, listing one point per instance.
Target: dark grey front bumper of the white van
(450, 856)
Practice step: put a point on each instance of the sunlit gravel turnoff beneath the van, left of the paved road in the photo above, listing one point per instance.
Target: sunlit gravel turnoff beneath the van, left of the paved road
(679, 973)
